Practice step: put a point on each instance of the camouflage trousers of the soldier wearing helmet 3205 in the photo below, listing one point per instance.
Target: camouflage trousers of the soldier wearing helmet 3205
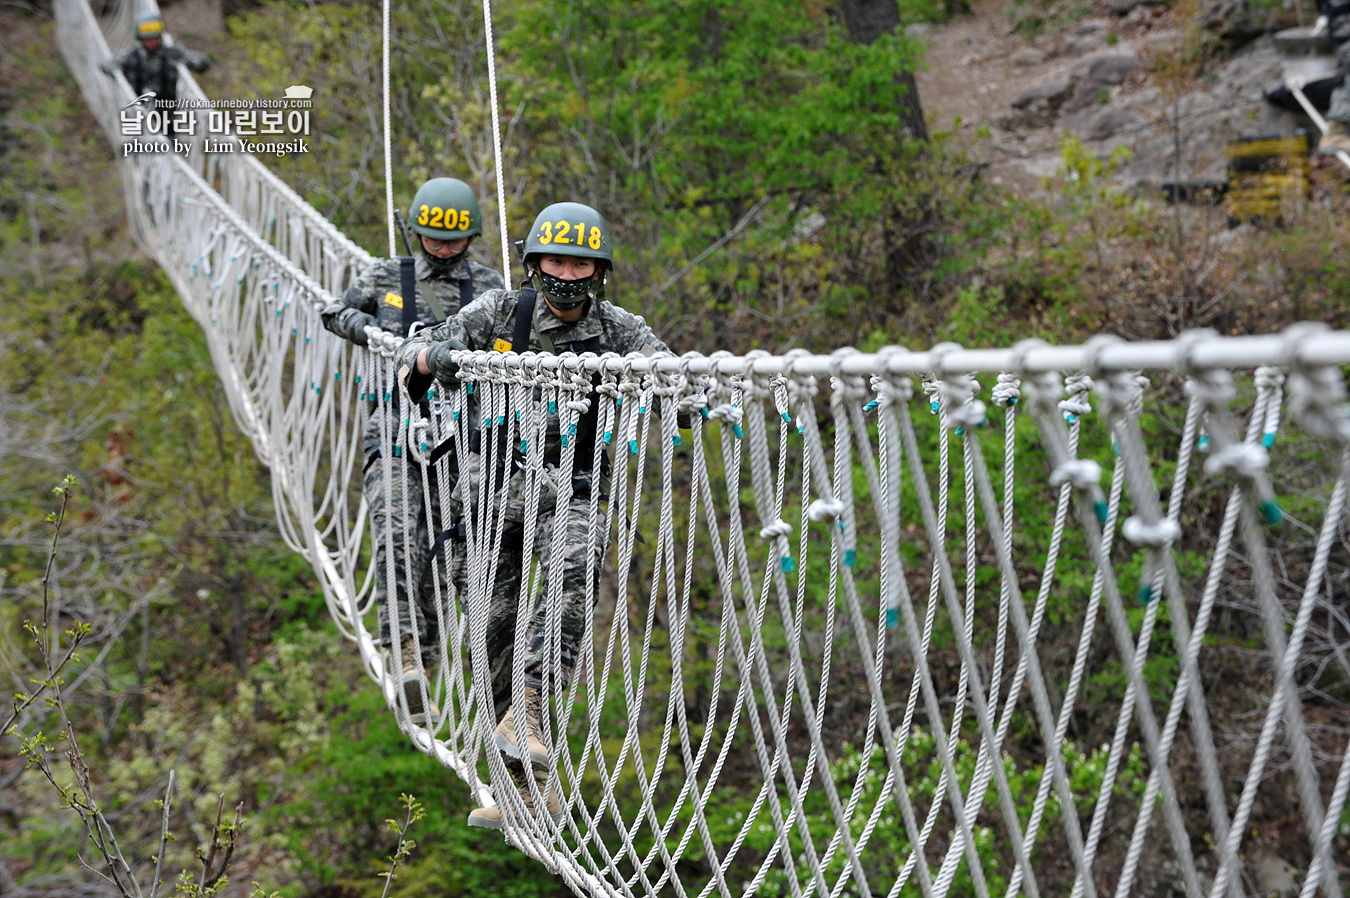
(403, 541)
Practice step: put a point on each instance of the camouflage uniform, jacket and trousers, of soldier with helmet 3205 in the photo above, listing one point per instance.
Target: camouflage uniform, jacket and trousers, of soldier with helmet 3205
(398, 514)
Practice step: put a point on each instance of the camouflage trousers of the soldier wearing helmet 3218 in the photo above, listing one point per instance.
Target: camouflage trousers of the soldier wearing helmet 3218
(550, 654)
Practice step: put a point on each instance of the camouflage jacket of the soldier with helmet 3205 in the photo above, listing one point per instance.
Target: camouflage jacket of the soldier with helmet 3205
(377, 294)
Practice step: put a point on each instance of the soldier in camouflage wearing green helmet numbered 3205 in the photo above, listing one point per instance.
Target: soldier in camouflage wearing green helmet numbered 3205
(446, 219)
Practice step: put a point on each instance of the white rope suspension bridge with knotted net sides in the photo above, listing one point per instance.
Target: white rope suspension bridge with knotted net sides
(832, 645)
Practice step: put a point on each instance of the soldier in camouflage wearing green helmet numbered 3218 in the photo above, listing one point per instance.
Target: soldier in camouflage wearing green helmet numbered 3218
(568, 259)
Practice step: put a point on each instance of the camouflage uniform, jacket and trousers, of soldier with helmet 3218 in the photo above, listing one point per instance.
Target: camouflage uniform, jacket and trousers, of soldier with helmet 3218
(604, 329)
